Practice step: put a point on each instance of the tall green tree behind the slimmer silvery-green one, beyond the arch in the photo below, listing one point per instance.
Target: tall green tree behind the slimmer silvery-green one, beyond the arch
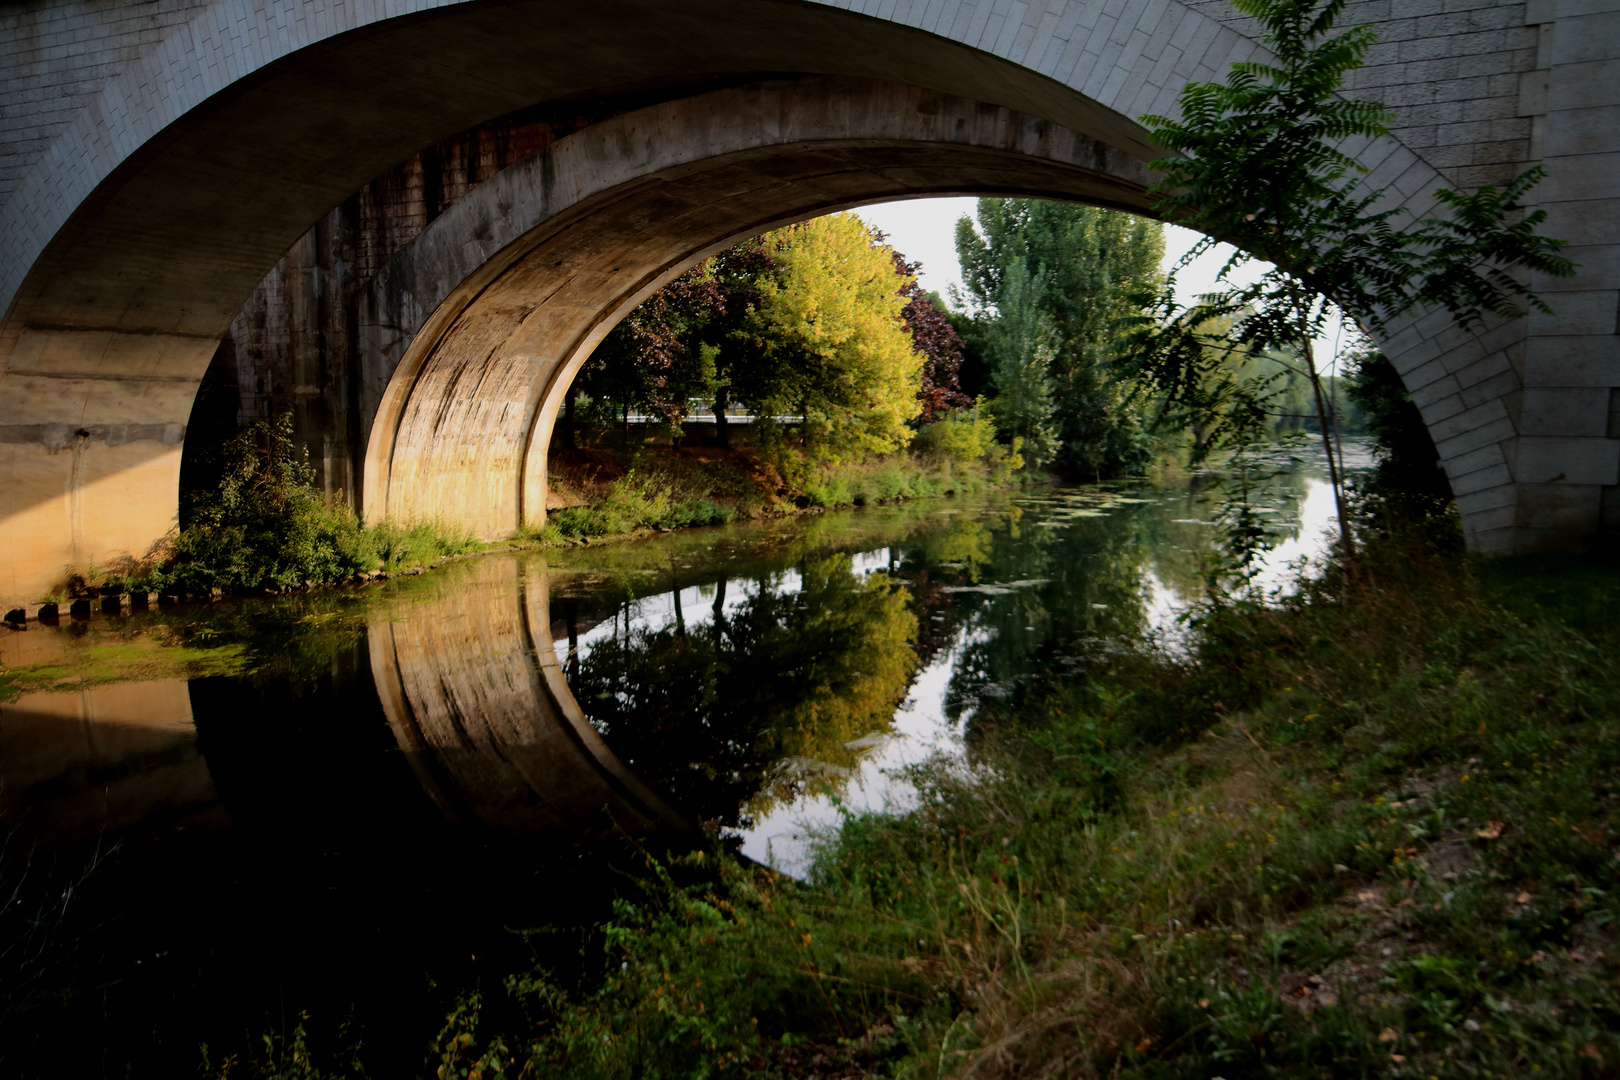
(1081, 263)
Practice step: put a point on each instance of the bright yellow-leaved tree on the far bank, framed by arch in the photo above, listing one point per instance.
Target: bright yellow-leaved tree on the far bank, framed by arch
(833, 339)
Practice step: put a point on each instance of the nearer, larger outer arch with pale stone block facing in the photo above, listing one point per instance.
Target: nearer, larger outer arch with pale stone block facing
(137, 221)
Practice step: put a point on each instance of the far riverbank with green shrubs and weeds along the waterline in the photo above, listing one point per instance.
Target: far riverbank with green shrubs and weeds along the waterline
(266, 532)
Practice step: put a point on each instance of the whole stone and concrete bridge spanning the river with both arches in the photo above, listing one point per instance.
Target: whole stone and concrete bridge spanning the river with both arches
(414, 219)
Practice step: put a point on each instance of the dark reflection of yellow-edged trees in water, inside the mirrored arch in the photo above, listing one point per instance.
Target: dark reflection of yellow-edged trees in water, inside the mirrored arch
(731, 716)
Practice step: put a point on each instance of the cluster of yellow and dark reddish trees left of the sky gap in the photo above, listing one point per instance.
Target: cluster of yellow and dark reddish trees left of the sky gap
(821, 318)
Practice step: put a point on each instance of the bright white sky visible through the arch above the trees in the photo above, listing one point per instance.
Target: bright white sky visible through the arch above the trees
(926, 231)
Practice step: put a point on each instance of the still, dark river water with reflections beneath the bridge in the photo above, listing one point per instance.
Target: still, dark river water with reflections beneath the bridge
(359, 804)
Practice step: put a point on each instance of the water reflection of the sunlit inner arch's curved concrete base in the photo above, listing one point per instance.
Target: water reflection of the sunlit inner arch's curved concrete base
(474, 694)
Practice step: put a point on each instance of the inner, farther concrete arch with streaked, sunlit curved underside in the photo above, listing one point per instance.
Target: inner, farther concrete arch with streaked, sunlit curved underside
(487, 317)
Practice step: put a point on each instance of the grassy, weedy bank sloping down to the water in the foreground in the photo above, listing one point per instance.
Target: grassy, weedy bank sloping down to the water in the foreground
(1363, 833)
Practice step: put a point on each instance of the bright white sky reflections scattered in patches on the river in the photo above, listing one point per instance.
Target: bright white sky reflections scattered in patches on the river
(923, 728)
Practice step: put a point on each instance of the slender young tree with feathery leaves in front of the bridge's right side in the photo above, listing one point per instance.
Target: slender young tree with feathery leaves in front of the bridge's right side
(1258, 164)
